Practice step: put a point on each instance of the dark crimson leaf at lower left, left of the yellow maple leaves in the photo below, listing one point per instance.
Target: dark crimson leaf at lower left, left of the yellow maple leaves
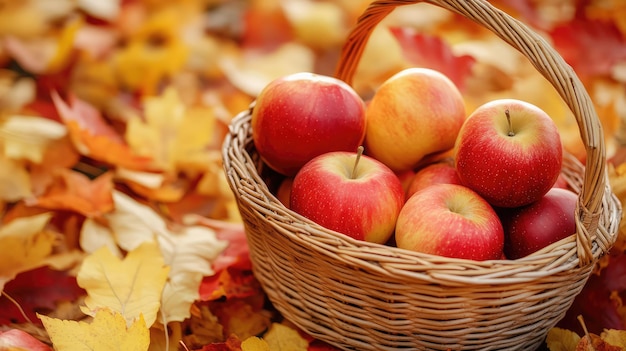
(37, 290)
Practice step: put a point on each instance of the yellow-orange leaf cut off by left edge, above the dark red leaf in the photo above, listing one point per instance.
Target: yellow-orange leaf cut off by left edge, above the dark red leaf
(24, 245)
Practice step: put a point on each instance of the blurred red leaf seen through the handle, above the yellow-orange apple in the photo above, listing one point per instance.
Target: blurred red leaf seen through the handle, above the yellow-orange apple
(433, 52)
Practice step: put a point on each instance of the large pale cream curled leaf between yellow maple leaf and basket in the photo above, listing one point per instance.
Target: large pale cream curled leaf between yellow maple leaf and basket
(188, 252)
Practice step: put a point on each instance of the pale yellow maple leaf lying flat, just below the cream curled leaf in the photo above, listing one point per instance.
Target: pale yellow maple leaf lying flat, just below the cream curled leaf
(131, 286)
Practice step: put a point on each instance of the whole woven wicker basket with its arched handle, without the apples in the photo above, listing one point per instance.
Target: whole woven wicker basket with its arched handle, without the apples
(362, 296)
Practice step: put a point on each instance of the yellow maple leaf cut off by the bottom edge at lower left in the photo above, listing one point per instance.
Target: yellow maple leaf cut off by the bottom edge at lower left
(108, 331)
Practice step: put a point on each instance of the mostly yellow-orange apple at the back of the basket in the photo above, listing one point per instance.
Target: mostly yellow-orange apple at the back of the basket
(415, 113)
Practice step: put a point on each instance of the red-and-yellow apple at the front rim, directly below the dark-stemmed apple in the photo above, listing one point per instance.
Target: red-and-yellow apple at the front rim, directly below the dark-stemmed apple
(450, 220)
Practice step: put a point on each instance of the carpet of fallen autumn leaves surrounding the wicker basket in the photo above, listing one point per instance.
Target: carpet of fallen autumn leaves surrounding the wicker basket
(114, 211)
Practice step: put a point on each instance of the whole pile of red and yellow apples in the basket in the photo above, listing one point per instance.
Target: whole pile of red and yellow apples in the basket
(410, 168)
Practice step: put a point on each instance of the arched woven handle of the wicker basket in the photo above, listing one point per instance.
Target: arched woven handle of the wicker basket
(547, 61)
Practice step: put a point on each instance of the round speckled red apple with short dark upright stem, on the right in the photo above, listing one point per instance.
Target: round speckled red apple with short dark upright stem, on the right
(509, 151)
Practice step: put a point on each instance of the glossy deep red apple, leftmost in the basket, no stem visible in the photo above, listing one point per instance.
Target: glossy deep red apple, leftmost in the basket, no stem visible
(303, 115)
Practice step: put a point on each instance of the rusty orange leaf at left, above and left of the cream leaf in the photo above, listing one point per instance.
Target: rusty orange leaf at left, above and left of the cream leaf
(73, 191)
